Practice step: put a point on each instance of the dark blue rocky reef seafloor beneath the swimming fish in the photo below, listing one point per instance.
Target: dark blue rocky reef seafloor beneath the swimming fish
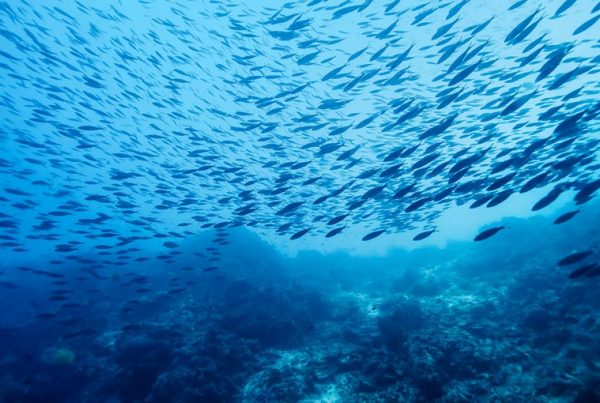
(492, 322)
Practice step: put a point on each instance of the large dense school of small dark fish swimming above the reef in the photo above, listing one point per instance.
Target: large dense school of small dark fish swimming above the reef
(125, 122)
